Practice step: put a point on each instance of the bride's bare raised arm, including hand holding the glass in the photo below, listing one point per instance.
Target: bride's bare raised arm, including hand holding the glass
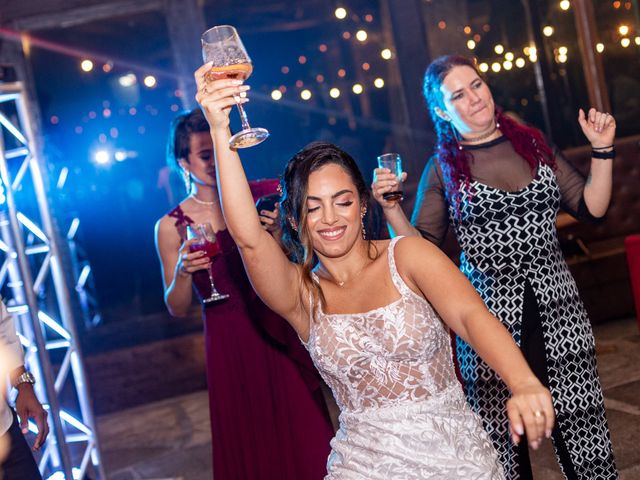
(276, 280)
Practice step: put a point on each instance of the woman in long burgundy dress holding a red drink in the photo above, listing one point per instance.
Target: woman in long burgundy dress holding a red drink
(268, 418)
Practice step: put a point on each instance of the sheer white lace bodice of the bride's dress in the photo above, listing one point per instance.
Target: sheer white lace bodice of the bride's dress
(393, 354)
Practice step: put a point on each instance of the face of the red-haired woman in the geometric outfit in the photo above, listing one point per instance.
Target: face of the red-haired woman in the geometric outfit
(467, 101)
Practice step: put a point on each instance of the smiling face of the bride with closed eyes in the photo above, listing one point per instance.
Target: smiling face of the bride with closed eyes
(333, 211)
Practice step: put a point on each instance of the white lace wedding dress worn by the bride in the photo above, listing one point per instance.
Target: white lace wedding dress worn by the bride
(403, 413)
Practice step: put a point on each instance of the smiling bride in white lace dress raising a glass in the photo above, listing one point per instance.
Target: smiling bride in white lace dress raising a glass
(403, 413)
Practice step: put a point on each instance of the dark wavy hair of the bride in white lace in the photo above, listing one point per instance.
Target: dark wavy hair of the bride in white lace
(293, 205)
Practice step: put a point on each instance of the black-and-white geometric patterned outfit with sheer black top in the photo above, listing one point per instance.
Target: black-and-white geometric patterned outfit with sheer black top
(511, 255)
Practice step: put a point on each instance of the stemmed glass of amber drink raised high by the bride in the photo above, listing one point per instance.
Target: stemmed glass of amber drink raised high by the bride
(222, 46)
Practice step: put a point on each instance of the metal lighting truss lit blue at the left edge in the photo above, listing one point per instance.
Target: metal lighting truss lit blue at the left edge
(32, 269)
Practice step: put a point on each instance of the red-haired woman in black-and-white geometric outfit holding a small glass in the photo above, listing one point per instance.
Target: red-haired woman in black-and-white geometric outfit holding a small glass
(500, 186)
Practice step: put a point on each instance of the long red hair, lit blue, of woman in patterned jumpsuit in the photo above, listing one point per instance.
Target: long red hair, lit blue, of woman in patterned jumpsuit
(454, 160)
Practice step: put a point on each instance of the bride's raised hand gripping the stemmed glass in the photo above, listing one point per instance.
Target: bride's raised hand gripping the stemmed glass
(217, 97)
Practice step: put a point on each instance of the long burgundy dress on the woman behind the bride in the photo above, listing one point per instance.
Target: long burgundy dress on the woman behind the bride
(268, 418)
